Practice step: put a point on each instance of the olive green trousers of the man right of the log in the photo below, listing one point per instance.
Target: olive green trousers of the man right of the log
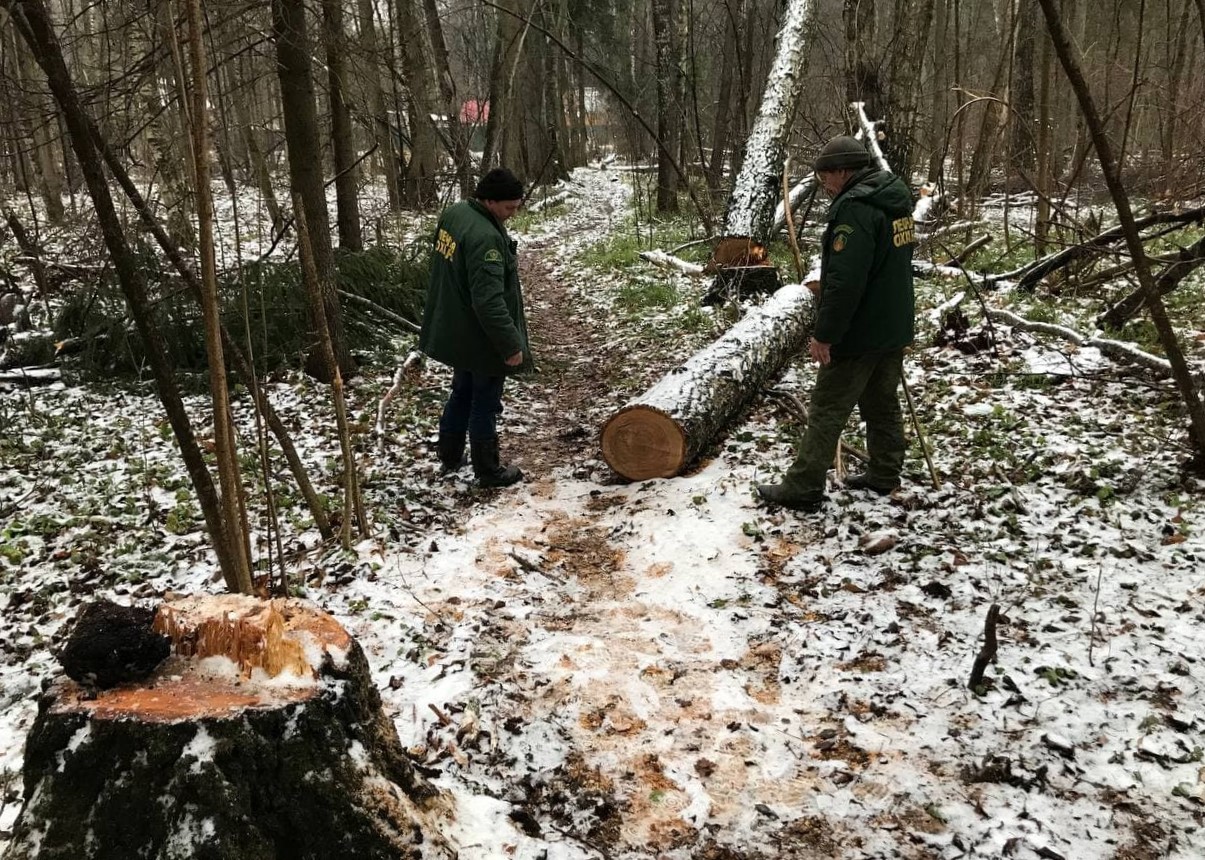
(872, 384)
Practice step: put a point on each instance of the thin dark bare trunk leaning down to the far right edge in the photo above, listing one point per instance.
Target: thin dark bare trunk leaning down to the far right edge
(1180, 370)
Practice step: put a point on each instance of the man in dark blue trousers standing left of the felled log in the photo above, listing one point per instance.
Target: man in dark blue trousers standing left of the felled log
(474, 322)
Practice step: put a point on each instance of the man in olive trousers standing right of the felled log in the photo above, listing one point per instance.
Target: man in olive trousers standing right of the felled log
(865, 320)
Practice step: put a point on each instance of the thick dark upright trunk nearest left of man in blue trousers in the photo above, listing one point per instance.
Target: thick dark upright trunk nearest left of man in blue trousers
(305, 172)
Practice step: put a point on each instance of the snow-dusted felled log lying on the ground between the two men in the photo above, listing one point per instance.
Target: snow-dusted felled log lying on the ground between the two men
(665, 429)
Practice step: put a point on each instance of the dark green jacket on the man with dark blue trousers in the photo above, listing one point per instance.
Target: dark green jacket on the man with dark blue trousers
(474, 317)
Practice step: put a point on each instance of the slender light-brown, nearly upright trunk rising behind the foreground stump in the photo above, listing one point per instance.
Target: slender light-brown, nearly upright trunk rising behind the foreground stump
(234, 513)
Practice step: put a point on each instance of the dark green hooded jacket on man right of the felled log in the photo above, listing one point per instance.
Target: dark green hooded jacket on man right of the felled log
(867, 303)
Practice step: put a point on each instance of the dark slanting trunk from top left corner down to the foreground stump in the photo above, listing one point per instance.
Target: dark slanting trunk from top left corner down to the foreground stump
(38, 32)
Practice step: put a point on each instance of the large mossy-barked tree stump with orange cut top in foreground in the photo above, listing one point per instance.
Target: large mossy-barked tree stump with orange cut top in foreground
(262, 738)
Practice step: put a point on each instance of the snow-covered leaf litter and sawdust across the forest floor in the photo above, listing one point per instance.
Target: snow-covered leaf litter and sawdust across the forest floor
(643, 670)
